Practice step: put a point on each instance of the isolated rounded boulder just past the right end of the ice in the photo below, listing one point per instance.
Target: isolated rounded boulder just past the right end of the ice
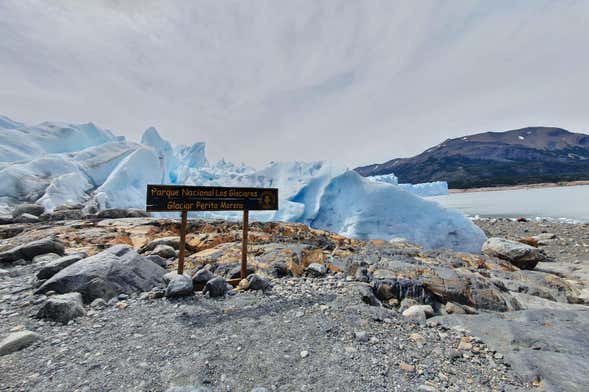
(521, 255)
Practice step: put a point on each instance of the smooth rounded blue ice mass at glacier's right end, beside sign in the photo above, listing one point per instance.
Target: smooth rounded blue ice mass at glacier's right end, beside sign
(359, 208)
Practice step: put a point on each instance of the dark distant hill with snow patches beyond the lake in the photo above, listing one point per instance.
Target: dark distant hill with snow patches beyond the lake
(522, 156)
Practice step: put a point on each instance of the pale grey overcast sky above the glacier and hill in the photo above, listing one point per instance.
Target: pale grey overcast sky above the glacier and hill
(354, 81)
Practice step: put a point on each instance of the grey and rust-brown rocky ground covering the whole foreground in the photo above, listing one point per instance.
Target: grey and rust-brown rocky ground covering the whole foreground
(321, 312)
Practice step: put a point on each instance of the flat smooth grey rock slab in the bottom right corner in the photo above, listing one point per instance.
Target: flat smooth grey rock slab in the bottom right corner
(548, 345)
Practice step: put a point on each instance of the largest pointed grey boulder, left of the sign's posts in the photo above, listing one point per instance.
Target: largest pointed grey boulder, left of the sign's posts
(116, 270)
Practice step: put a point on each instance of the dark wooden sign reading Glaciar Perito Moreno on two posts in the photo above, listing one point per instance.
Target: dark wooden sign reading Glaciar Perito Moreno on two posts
(210, 198)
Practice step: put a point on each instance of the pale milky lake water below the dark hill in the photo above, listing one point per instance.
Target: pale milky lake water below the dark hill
(571, 202)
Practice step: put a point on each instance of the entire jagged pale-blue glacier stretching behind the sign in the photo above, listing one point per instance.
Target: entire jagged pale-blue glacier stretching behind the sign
(56, 164)
